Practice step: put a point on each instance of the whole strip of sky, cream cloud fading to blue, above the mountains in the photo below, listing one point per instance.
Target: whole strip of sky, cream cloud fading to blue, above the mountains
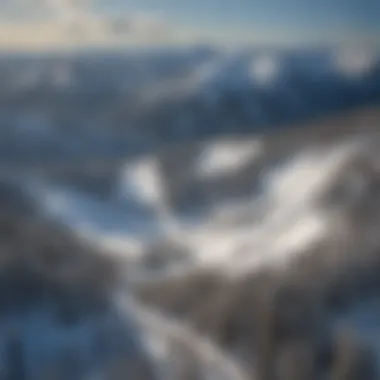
(225, 21)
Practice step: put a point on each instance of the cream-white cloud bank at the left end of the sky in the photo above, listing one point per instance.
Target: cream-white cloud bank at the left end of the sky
(74, 20)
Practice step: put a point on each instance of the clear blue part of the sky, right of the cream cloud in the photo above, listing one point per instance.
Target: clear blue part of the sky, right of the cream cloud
(302, 20)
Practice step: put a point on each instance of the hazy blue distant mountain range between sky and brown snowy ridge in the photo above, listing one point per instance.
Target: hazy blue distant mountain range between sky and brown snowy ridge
(102, 103)
